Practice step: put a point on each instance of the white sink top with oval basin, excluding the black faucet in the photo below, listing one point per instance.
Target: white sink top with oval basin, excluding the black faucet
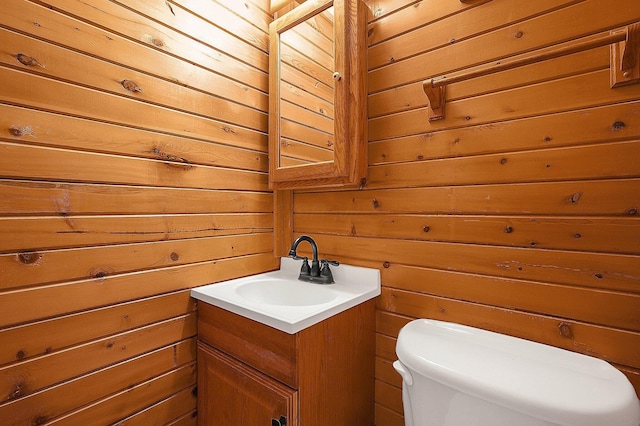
(278, 299)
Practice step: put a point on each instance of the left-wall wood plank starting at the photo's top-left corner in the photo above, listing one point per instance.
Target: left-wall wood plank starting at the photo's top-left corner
(97, 42)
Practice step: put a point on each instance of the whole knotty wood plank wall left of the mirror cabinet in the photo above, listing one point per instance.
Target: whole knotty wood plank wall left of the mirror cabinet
(132, 167)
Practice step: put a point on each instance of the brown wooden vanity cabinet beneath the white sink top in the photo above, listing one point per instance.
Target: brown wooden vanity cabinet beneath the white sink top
(250, 373)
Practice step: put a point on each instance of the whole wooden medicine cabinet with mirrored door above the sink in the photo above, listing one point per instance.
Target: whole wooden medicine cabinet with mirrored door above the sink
(317, 114)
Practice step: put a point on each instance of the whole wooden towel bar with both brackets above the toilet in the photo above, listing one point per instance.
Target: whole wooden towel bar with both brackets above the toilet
(625, 65)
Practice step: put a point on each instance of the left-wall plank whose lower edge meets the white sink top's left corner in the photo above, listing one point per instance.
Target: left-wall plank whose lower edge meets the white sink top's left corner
(31, 304)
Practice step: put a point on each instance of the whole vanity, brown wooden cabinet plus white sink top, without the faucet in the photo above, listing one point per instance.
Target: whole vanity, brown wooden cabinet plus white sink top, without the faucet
(273, 350)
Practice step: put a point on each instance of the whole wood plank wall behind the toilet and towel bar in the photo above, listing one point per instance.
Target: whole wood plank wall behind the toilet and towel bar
(519, 212)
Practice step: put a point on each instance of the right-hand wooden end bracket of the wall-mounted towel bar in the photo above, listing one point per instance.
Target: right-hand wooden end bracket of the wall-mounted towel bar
(625, 57)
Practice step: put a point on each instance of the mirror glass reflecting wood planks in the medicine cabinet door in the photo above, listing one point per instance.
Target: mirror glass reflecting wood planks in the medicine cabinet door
(307, 84)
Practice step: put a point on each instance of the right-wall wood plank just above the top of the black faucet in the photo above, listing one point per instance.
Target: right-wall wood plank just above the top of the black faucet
(612, 235)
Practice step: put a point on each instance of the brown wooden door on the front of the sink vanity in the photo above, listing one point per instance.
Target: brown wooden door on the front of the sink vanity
(231, 393)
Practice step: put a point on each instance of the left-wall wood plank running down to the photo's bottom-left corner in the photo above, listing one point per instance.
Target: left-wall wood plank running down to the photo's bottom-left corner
(63, 398)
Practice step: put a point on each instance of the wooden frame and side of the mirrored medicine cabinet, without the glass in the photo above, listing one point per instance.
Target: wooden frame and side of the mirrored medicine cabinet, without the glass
(349, 165)
